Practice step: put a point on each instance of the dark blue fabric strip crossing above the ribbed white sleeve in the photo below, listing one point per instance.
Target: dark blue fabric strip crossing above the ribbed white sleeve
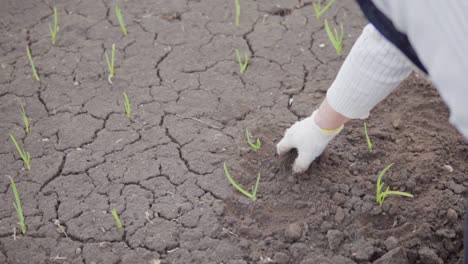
(385, 26)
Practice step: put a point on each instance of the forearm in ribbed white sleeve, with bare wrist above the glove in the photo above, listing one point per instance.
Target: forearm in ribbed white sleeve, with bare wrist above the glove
(373, 69)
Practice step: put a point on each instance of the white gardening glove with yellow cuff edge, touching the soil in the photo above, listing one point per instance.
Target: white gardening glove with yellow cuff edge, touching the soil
(309, 140)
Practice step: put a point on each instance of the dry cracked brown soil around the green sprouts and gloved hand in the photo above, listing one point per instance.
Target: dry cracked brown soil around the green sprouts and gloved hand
(162, 170)
